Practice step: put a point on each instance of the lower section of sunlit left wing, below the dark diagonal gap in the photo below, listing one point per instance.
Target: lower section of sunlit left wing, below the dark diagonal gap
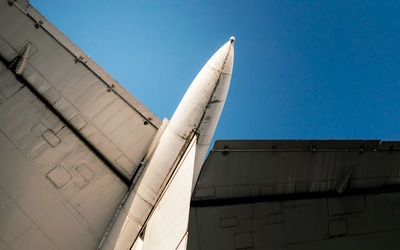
(55, 193)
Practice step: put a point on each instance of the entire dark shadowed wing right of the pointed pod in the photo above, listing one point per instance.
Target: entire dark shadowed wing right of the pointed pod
(298, 194)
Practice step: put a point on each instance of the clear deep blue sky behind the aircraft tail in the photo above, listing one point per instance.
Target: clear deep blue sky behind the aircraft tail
(303, 69)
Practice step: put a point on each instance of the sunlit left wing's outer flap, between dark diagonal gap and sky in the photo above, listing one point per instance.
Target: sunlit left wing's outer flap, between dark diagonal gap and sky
(98, 107)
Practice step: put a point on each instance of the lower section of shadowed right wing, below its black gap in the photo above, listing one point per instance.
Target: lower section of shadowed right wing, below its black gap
(305, 224)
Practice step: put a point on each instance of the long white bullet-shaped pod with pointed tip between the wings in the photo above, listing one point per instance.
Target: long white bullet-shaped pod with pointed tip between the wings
(213, 80)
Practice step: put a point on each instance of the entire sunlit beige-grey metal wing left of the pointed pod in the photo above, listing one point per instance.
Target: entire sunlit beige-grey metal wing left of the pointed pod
(71, 137)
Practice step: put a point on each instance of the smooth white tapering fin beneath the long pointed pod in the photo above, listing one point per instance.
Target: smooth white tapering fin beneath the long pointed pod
(167, 227)
